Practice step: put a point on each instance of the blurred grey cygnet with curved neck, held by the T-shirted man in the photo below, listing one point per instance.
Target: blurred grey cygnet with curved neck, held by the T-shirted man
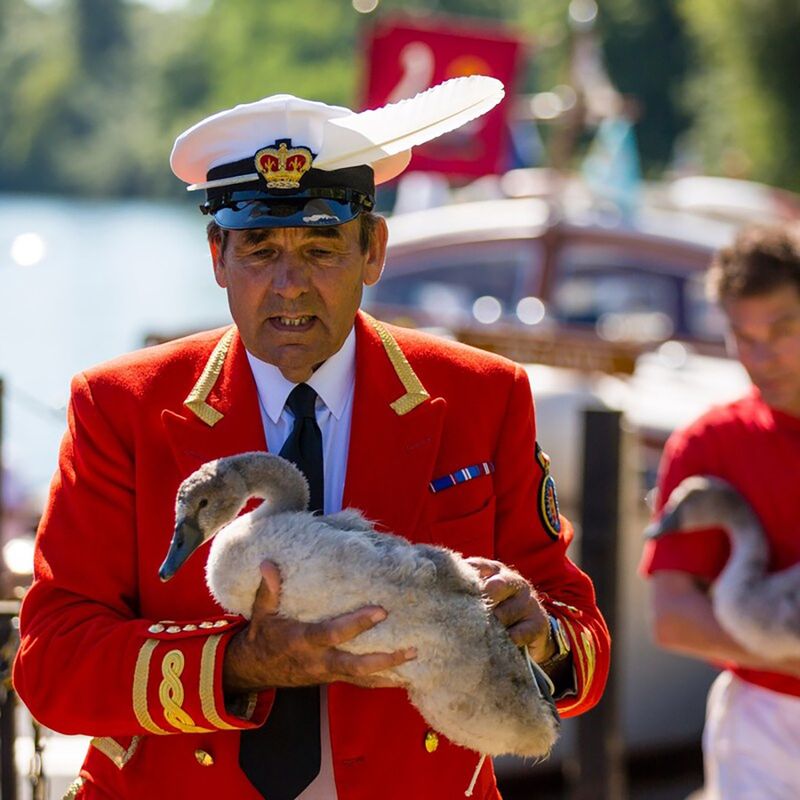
(761, 611)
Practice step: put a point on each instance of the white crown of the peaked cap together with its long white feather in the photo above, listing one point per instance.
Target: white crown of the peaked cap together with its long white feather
(380, 138)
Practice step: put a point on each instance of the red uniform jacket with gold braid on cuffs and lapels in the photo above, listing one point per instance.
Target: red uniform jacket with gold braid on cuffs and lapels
(110, 651)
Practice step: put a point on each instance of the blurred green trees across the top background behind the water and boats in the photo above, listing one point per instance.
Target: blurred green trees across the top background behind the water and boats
(93, 92)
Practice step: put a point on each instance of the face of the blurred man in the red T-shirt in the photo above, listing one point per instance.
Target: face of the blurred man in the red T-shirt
(765, 330)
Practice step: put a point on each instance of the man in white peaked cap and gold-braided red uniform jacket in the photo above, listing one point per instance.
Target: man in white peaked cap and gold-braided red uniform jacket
(432, 440)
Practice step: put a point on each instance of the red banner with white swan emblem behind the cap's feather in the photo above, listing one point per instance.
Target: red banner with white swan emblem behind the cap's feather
(406, 57)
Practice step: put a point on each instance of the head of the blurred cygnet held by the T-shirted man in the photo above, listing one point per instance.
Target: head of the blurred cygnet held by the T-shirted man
(700, 501)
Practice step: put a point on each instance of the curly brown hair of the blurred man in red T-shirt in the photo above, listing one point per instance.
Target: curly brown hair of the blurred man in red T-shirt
(761, 259)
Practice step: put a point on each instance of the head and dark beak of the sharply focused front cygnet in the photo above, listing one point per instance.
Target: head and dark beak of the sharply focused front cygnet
(207, 500)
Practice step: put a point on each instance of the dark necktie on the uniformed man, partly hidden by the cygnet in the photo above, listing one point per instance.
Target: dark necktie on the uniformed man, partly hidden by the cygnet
(282, 757)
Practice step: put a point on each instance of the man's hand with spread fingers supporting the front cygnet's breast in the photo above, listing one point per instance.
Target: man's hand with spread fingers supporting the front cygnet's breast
(276, 651)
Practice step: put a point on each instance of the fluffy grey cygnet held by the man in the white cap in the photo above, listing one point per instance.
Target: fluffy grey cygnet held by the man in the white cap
(469, 680)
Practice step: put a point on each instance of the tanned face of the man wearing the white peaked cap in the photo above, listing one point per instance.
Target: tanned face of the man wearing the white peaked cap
(294, 292)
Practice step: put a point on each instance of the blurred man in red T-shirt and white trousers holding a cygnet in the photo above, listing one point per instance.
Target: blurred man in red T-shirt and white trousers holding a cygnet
(752, 734)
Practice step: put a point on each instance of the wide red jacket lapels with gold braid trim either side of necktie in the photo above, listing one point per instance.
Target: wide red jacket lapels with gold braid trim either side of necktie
(394, 436)
